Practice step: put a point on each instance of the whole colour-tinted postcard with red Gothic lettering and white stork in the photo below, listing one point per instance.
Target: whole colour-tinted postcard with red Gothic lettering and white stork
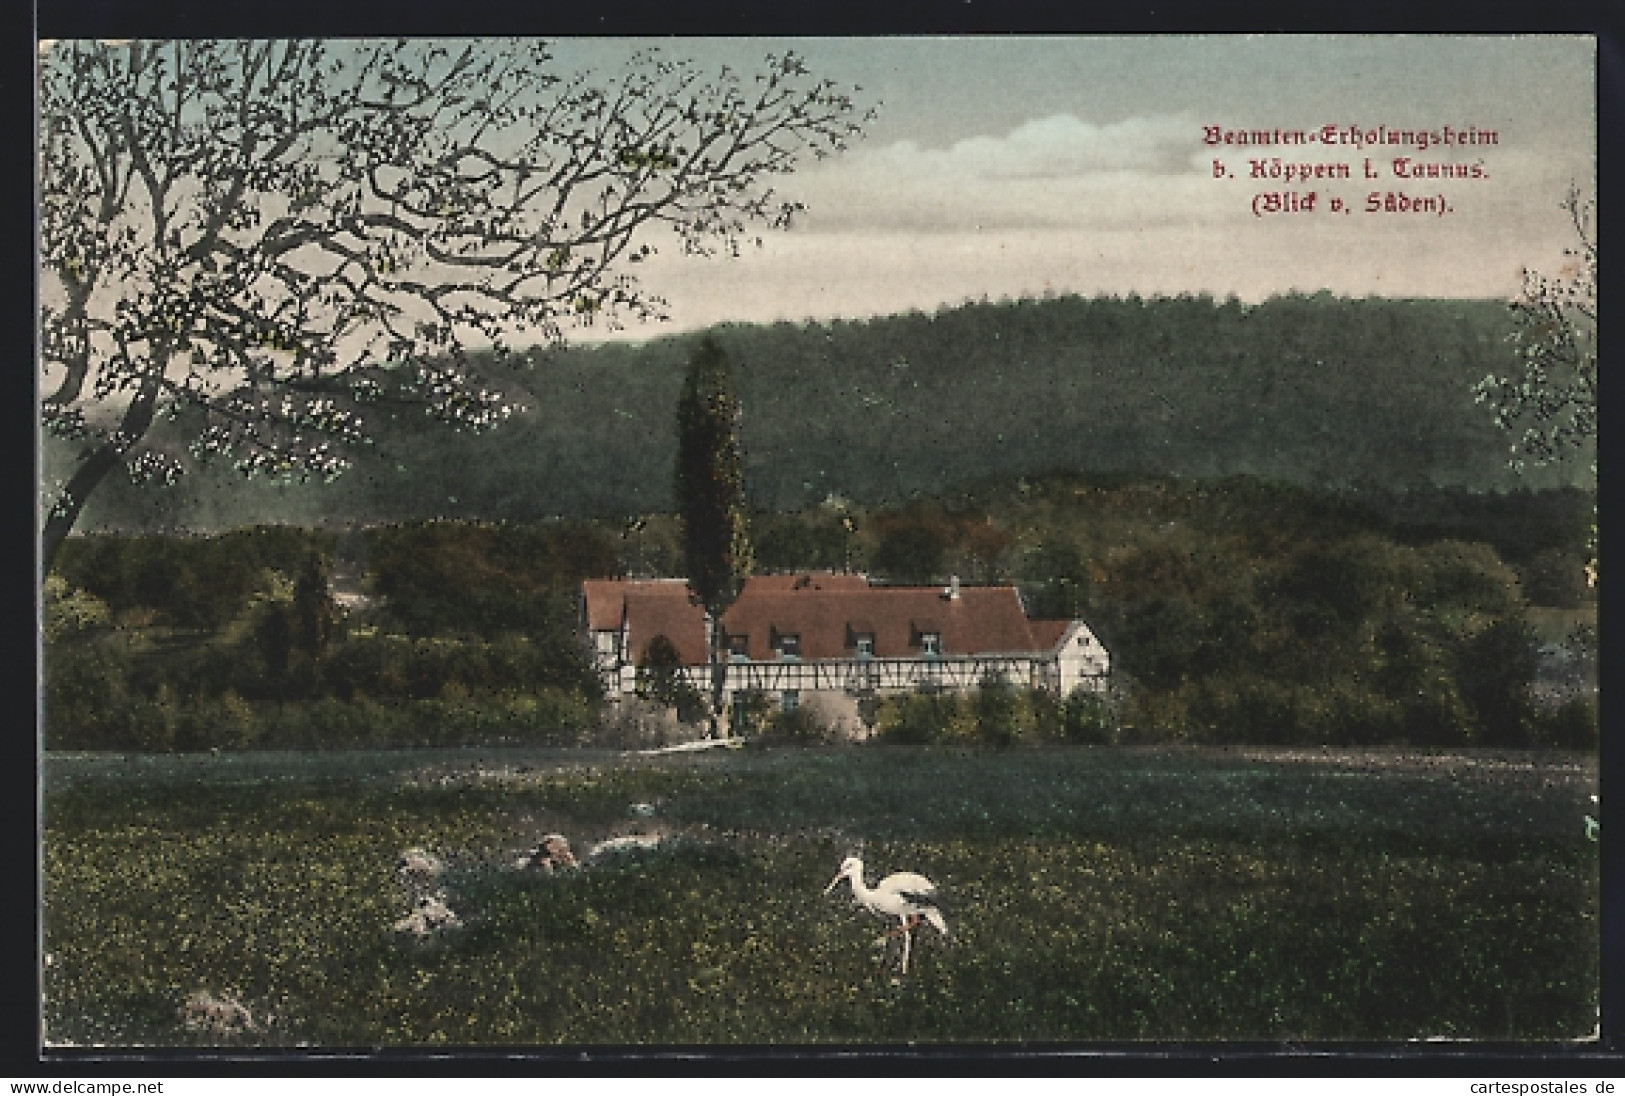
(818, 542)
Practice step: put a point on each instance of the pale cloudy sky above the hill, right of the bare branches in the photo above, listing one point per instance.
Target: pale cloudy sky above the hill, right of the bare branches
(1026, 167)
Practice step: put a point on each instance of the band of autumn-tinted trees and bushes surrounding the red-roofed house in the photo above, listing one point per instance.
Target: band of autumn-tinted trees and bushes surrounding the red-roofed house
(1237, 612)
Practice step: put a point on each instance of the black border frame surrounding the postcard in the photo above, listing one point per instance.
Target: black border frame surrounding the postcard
(20, 1053)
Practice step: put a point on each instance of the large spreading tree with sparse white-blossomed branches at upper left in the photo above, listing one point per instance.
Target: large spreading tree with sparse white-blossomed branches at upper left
(271, 238)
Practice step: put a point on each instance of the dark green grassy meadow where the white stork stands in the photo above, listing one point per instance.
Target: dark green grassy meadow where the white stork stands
(1096, 895)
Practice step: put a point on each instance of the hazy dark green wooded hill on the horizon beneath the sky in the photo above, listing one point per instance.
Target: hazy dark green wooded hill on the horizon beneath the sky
(1311, 389)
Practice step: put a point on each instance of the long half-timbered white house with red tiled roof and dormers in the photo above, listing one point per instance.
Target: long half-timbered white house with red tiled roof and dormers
(825, 642)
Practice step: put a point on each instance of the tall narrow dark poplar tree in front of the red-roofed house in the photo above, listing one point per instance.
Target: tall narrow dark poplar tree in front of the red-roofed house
(711, 498)
